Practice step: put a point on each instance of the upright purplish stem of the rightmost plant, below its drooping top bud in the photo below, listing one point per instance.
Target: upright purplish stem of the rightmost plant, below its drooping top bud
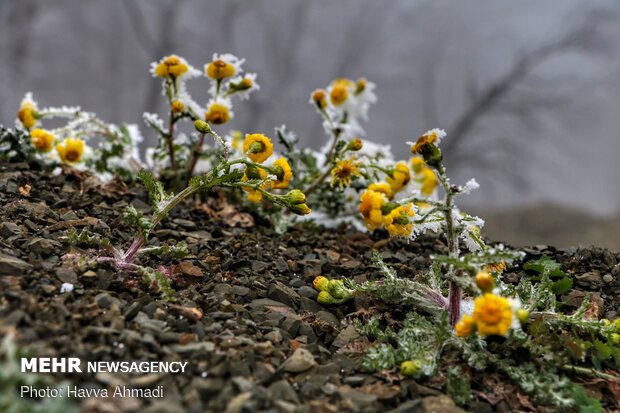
(454, 298)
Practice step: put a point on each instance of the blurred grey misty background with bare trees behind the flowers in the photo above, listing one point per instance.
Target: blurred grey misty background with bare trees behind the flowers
(527, 90)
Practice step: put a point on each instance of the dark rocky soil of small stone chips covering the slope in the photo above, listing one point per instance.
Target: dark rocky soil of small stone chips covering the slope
(245, 314)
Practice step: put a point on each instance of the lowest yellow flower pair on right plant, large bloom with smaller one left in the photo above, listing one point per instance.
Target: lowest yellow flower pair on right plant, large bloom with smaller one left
(492, 316)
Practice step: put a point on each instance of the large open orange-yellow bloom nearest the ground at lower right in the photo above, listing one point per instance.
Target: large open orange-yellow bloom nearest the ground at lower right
(492, 314)
